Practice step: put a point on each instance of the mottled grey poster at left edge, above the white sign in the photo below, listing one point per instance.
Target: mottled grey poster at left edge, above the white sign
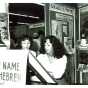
(4, 32)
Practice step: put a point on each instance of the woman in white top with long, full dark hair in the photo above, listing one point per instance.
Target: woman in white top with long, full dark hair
(53, 57)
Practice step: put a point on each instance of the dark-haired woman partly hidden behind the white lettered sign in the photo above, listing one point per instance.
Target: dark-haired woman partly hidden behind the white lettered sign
(26, 44)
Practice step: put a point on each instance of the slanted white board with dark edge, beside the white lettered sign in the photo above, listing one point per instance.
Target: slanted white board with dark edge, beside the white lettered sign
(40, 71)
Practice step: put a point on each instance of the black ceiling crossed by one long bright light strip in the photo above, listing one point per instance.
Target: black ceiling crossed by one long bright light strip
(26, 13)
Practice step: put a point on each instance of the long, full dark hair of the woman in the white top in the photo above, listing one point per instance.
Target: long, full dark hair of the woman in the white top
(58, 47)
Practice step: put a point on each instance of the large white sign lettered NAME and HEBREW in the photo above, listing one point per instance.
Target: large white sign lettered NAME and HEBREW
(13, 67)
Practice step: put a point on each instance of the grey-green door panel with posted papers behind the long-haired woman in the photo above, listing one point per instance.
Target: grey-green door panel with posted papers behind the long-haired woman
(62, 20)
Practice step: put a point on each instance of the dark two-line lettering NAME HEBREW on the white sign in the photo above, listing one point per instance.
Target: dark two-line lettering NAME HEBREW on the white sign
(10, 71)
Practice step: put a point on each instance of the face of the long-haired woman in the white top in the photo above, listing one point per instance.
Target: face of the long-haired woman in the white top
(48, 47)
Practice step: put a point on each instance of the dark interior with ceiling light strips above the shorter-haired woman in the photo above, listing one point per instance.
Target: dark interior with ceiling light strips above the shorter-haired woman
(25, 19)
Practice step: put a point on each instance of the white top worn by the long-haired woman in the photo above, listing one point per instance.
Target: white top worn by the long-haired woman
(56, 67)
